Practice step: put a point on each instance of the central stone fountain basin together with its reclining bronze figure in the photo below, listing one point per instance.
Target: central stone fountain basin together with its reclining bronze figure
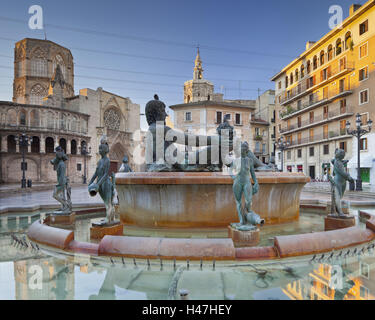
(195, 195)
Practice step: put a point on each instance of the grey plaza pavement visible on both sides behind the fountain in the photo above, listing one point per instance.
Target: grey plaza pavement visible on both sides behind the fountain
(17, 199)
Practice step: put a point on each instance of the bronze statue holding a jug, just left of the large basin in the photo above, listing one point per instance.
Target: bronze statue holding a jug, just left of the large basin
(105, 184)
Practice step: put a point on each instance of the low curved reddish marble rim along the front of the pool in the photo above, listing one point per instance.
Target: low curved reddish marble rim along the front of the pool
(223, 249)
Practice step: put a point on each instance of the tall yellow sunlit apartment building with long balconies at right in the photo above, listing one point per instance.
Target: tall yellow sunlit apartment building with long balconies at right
(322, 89)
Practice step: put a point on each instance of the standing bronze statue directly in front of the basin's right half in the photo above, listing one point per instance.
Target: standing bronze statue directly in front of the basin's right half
(242, 186)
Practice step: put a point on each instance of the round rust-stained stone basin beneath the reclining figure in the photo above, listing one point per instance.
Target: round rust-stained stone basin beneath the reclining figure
(203, 199)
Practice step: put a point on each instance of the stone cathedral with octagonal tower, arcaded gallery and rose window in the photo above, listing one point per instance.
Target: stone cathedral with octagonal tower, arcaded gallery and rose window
(46, 109)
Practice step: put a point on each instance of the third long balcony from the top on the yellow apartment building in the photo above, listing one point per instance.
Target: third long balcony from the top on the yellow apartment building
(335, 114)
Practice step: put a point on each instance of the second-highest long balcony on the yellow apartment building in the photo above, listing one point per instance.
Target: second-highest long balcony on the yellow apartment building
(315, 101)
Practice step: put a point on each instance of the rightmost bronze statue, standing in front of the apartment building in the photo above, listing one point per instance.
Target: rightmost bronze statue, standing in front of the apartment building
(338, 183)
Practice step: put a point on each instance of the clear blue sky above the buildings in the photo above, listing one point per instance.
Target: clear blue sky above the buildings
(243, 43)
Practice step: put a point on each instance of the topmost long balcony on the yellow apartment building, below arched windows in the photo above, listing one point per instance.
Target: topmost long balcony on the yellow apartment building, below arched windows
(307, 85)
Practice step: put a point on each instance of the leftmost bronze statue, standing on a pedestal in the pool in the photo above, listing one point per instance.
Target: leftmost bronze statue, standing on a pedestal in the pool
(62, 192)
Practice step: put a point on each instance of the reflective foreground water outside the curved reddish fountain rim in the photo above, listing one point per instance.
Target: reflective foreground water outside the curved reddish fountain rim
(27, 274)
